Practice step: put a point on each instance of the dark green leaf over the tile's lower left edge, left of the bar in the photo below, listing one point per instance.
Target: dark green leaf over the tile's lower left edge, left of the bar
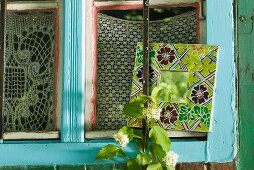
(134, 110)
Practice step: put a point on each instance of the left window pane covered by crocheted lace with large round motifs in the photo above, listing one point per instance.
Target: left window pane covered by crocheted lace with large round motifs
(29, 71)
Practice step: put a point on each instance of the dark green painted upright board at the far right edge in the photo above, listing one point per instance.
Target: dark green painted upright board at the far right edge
(246, 84)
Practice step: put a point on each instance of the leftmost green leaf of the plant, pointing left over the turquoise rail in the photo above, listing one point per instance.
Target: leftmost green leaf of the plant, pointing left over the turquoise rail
(110, 151)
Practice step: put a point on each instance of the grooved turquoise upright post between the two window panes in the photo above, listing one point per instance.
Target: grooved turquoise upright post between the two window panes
(72, 129)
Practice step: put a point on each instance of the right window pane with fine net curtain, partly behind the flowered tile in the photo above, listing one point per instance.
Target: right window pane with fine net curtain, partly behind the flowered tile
(118, 34)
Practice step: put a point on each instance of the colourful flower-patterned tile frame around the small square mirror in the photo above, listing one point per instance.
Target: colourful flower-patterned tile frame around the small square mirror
(196, 59)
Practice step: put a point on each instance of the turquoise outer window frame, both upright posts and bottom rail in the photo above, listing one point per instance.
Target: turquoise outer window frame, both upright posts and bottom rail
(220, 145)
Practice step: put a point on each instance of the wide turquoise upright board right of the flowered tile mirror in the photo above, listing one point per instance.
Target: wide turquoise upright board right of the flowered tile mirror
(221, 144)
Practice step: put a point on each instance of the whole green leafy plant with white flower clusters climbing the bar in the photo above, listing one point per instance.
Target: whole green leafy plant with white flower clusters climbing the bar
(152, 141)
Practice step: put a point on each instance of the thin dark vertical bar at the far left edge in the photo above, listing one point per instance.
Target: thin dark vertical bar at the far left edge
(2, 52)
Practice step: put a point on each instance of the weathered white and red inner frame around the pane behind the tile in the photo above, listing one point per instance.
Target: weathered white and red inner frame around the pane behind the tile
(118, 5)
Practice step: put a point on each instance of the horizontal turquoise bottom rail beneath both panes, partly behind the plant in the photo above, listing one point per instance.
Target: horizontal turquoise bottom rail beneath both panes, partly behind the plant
(81, 153)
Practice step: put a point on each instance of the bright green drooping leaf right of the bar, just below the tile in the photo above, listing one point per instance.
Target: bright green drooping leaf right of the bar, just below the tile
(160, 137)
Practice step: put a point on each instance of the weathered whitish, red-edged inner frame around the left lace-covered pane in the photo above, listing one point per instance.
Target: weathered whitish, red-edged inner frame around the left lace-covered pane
(42, 6)
